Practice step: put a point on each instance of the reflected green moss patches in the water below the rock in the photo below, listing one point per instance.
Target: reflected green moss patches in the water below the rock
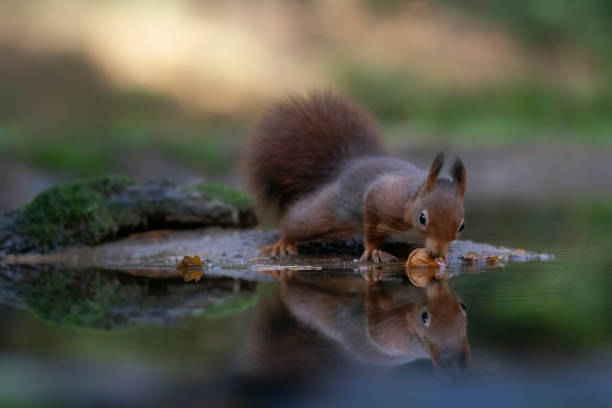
(96, 299)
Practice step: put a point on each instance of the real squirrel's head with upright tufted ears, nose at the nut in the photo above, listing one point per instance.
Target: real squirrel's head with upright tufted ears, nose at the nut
(437, 208)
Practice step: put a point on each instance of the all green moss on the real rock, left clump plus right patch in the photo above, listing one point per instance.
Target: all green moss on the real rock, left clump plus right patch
(83, 212)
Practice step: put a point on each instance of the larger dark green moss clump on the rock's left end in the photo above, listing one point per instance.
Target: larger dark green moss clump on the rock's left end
(73, 213)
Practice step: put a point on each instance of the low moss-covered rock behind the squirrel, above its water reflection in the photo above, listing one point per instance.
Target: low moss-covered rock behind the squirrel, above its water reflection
(88, 212)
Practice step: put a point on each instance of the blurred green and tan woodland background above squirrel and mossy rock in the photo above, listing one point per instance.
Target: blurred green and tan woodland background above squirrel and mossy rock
(171, 88)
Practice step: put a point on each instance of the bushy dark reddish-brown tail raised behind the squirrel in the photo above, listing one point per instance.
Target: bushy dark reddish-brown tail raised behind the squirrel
(301, 142)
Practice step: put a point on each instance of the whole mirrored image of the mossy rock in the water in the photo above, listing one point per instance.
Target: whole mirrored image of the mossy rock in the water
(106, 300)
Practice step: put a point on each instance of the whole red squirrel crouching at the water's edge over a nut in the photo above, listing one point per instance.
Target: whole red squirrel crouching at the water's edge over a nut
(320, 162)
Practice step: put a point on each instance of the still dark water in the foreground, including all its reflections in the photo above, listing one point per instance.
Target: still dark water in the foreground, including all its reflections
(527, 334)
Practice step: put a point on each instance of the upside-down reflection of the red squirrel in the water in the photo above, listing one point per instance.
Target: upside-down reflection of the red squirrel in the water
(322, 320)
